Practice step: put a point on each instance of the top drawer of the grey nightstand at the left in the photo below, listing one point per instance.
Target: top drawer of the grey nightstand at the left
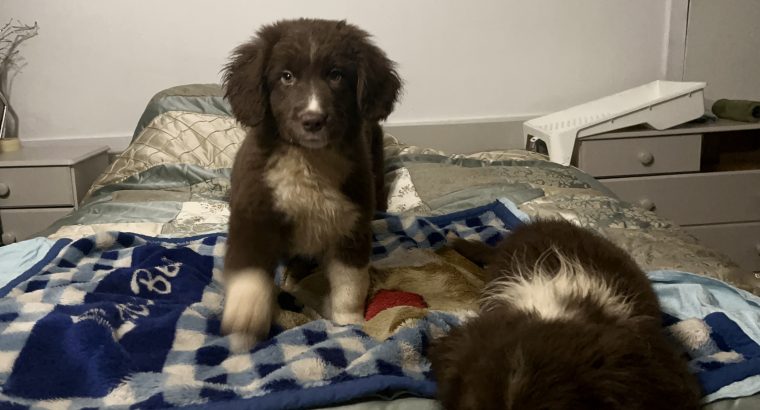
(36, 186)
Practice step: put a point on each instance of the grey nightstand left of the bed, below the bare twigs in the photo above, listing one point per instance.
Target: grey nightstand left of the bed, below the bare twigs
(39, 185)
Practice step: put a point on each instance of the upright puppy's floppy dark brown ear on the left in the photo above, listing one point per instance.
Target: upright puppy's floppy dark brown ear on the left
(245, 77)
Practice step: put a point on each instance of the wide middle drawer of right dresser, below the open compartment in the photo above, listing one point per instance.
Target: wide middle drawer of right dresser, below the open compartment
(695, 199)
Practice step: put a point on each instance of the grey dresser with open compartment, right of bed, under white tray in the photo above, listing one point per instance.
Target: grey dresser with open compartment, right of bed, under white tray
(705, 177)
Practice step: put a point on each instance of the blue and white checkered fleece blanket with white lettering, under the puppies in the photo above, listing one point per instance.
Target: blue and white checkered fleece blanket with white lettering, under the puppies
(119, 319)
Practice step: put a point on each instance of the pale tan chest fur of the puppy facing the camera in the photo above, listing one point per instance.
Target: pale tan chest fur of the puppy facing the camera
(307, 191)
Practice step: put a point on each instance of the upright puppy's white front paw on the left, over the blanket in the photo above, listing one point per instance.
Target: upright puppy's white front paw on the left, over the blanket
(248, 307)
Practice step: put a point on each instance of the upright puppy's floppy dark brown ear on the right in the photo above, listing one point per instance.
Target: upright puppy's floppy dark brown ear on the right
(378, 83)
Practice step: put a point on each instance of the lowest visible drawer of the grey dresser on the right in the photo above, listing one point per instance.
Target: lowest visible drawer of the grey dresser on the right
(740, 242)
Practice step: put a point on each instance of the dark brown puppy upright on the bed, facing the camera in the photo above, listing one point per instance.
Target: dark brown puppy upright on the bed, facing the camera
(308, 177)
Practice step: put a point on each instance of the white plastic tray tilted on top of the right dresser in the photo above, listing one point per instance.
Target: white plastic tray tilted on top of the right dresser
(661, 104)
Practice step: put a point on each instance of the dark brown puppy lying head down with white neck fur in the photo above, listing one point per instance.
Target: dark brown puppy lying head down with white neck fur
(567, 321)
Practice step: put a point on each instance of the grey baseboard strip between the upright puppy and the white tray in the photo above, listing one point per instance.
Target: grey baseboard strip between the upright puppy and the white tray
(463, 136)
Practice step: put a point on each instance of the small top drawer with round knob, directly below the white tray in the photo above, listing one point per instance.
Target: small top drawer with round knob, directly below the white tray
(640, 156)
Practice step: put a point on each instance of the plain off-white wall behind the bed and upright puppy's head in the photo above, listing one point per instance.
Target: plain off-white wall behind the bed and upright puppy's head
(95, 64)
